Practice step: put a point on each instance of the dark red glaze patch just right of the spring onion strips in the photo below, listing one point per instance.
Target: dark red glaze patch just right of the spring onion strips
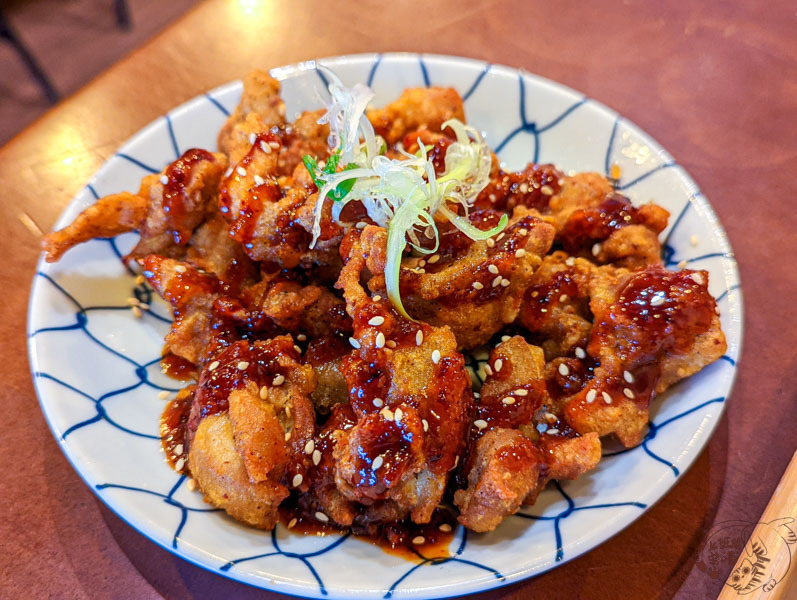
(532, 187)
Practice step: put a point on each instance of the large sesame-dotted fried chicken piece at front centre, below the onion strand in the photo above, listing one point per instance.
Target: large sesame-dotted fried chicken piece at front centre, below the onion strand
(410, 393)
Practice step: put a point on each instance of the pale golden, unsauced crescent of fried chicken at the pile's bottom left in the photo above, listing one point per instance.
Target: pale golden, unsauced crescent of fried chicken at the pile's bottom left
(217, 467)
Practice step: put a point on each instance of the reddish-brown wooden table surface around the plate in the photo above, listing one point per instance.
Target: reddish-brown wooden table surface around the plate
(715, 84)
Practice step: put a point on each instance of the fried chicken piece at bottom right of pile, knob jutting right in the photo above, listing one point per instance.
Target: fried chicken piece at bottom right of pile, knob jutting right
(519, 440)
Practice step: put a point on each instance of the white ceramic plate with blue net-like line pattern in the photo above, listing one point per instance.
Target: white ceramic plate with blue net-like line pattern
(97, 376)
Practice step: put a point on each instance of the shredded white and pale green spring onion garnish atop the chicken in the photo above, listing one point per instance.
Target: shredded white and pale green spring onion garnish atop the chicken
(401, 195)
